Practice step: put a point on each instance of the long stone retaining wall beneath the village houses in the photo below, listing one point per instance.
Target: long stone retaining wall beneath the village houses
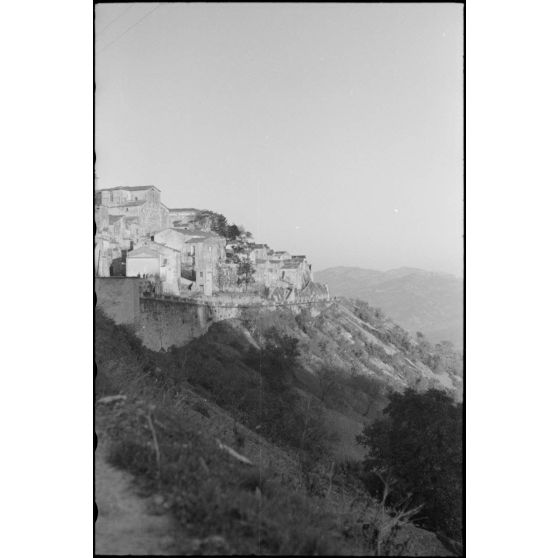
(161, 322)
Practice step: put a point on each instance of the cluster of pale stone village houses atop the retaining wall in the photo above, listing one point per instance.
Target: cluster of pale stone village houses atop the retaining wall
(137, 235)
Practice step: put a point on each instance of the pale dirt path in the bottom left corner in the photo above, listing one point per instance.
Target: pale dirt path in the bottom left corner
(124, 524)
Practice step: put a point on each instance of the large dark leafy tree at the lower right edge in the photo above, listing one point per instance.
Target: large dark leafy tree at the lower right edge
(417, 448)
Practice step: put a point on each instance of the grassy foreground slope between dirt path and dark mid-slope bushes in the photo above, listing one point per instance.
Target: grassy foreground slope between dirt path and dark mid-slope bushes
(208, 491)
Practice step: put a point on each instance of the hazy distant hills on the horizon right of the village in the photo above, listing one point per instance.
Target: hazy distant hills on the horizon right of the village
(418, 300)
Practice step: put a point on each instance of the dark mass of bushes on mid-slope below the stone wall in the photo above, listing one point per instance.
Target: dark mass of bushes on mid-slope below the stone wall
(256, 386)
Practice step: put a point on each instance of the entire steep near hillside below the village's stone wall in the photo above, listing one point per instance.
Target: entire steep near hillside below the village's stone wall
(246, 436)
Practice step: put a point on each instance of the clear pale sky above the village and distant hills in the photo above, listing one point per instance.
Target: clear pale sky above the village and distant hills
(331, 130)
